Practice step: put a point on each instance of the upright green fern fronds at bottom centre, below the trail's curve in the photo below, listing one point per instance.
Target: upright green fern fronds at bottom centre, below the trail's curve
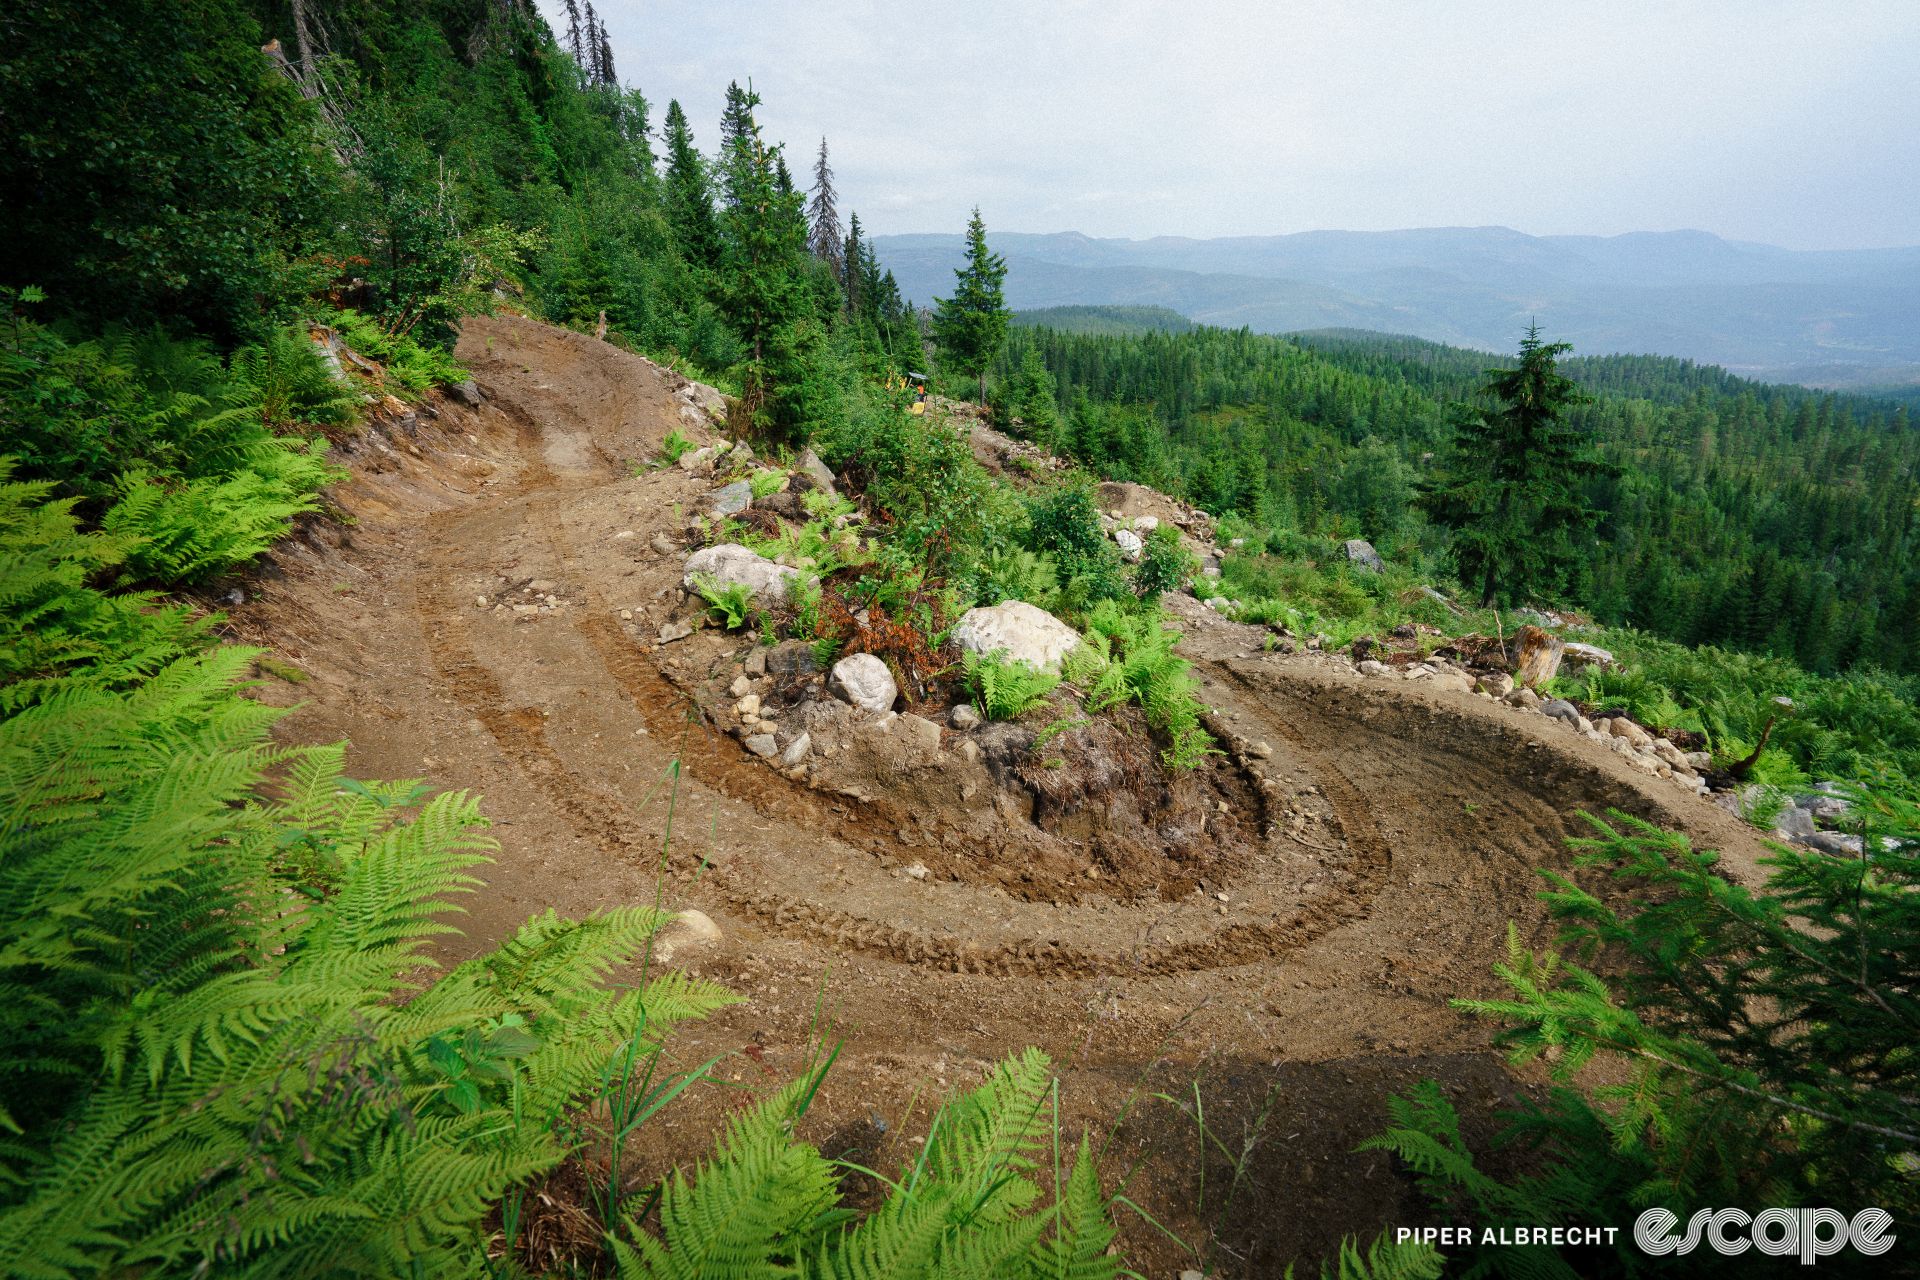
(972, 1202)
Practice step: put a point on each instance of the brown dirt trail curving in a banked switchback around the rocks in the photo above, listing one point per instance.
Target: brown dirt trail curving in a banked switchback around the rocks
(1316, 987)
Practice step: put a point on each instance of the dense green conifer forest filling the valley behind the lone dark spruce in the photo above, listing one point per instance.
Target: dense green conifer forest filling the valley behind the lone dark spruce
(1758, 517)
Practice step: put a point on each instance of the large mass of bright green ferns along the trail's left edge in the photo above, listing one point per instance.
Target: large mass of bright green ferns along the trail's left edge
(226, 1043)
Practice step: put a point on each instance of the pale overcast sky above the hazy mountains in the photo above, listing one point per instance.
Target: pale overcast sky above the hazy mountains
(1783, 122)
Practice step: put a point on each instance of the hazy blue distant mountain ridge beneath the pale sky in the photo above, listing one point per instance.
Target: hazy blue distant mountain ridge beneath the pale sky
(1825, 318)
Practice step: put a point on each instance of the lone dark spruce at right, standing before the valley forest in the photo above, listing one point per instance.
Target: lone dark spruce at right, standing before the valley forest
(1512, 483)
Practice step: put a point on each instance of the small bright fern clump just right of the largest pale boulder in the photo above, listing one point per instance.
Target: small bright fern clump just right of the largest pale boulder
(1128, 657)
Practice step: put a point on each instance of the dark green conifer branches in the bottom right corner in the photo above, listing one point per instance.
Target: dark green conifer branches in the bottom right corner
(1756, 1047)
